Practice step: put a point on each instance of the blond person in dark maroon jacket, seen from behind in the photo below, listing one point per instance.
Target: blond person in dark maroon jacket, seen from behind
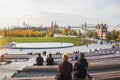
(65, 68)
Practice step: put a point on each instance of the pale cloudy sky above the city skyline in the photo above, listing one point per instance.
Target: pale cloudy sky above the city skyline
(64, 12)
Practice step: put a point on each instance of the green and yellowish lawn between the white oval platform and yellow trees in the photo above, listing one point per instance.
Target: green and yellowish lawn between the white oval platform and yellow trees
(75, 41)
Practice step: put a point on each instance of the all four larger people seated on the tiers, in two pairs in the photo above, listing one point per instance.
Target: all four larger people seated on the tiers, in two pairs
(66, 69)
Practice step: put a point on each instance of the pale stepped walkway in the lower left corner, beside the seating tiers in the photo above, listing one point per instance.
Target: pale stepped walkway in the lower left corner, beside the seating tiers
(9, 69)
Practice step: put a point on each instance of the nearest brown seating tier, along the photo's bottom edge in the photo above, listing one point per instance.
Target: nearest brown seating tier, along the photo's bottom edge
(114, 75)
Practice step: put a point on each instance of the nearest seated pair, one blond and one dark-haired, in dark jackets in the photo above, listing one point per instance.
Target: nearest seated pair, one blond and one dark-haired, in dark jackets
(79, 69)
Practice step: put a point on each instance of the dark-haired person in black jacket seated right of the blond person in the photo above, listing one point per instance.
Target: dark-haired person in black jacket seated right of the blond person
(80, 68)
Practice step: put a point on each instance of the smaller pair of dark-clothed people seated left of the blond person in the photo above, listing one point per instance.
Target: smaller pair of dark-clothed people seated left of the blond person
(49, 60)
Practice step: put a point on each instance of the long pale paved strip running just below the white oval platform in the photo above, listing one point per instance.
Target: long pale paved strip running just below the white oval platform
(83, 48)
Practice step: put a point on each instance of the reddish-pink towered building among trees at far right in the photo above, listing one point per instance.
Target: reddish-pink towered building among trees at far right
(101, 30)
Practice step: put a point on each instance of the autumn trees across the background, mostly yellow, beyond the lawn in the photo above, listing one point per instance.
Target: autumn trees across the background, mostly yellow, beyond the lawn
(113, 35)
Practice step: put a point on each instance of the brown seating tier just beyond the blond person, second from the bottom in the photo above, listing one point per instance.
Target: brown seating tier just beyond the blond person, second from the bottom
(92, 65)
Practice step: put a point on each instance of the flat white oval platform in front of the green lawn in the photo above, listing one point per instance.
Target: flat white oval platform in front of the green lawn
(44, 45)
